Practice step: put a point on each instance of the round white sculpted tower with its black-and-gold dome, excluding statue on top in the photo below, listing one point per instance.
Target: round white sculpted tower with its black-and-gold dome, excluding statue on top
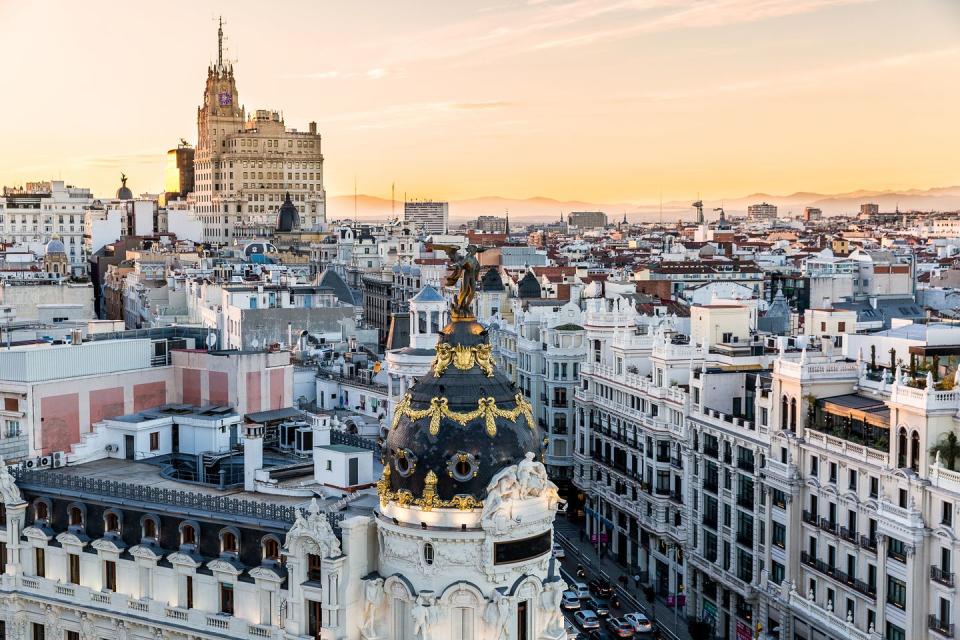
(466, 510)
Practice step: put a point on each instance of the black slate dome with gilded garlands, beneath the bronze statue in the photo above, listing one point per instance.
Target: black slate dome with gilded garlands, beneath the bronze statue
(453, 432)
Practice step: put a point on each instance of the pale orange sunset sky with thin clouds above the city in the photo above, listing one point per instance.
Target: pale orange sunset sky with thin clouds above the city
(603, 101)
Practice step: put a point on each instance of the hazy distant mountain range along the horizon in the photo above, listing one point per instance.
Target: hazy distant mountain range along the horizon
(542, 209)
